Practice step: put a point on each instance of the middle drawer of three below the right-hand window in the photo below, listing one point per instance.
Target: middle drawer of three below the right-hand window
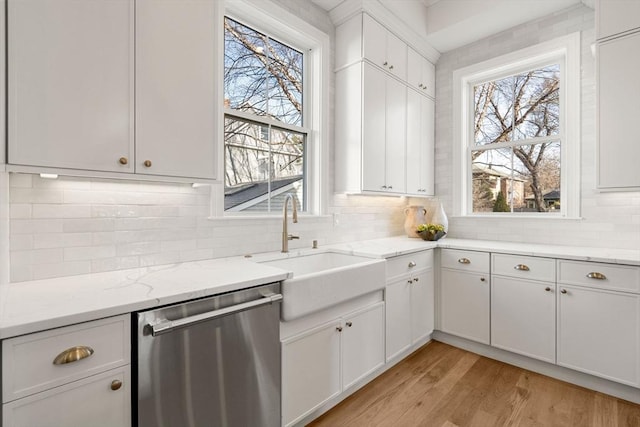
(532, 268)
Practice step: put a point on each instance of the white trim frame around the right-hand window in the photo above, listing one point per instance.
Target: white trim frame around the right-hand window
(567, 48)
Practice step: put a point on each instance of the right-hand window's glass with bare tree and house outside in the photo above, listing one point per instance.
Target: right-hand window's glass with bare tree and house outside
(515, 150)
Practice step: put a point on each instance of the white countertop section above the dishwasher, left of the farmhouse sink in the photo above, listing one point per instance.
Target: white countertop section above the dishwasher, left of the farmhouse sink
(27, 307)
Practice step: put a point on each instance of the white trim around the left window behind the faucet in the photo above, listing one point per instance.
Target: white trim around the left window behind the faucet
(264, 15)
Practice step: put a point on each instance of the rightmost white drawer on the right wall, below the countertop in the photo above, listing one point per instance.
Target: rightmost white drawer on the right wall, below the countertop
(599, 275)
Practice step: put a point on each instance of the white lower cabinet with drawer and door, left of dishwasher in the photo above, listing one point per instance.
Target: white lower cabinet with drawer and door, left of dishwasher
(74, 376)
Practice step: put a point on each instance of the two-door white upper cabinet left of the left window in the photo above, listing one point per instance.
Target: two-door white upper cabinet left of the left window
(84, 74)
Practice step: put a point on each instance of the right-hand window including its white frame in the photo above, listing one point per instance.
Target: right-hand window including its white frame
(518, 120)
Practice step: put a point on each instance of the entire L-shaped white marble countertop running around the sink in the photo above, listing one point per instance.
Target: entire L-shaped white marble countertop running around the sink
(27, 307)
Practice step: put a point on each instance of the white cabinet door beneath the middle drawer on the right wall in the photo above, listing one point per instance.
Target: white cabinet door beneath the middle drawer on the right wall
(523, 317)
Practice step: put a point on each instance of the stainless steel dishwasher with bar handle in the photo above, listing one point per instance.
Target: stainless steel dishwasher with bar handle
(211, 362)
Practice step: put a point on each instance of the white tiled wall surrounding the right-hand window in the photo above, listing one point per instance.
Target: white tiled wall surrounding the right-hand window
(609, 219)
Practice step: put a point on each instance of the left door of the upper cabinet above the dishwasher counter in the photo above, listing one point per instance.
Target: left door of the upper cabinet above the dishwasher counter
(70, 84)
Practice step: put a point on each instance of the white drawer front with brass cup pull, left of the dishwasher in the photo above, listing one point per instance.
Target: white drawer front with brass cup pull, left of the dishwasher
(27, 361)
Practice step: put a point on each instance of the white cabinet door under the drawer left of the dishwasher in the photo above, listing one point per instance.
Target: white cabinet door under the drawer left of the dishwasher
(94, 401)
